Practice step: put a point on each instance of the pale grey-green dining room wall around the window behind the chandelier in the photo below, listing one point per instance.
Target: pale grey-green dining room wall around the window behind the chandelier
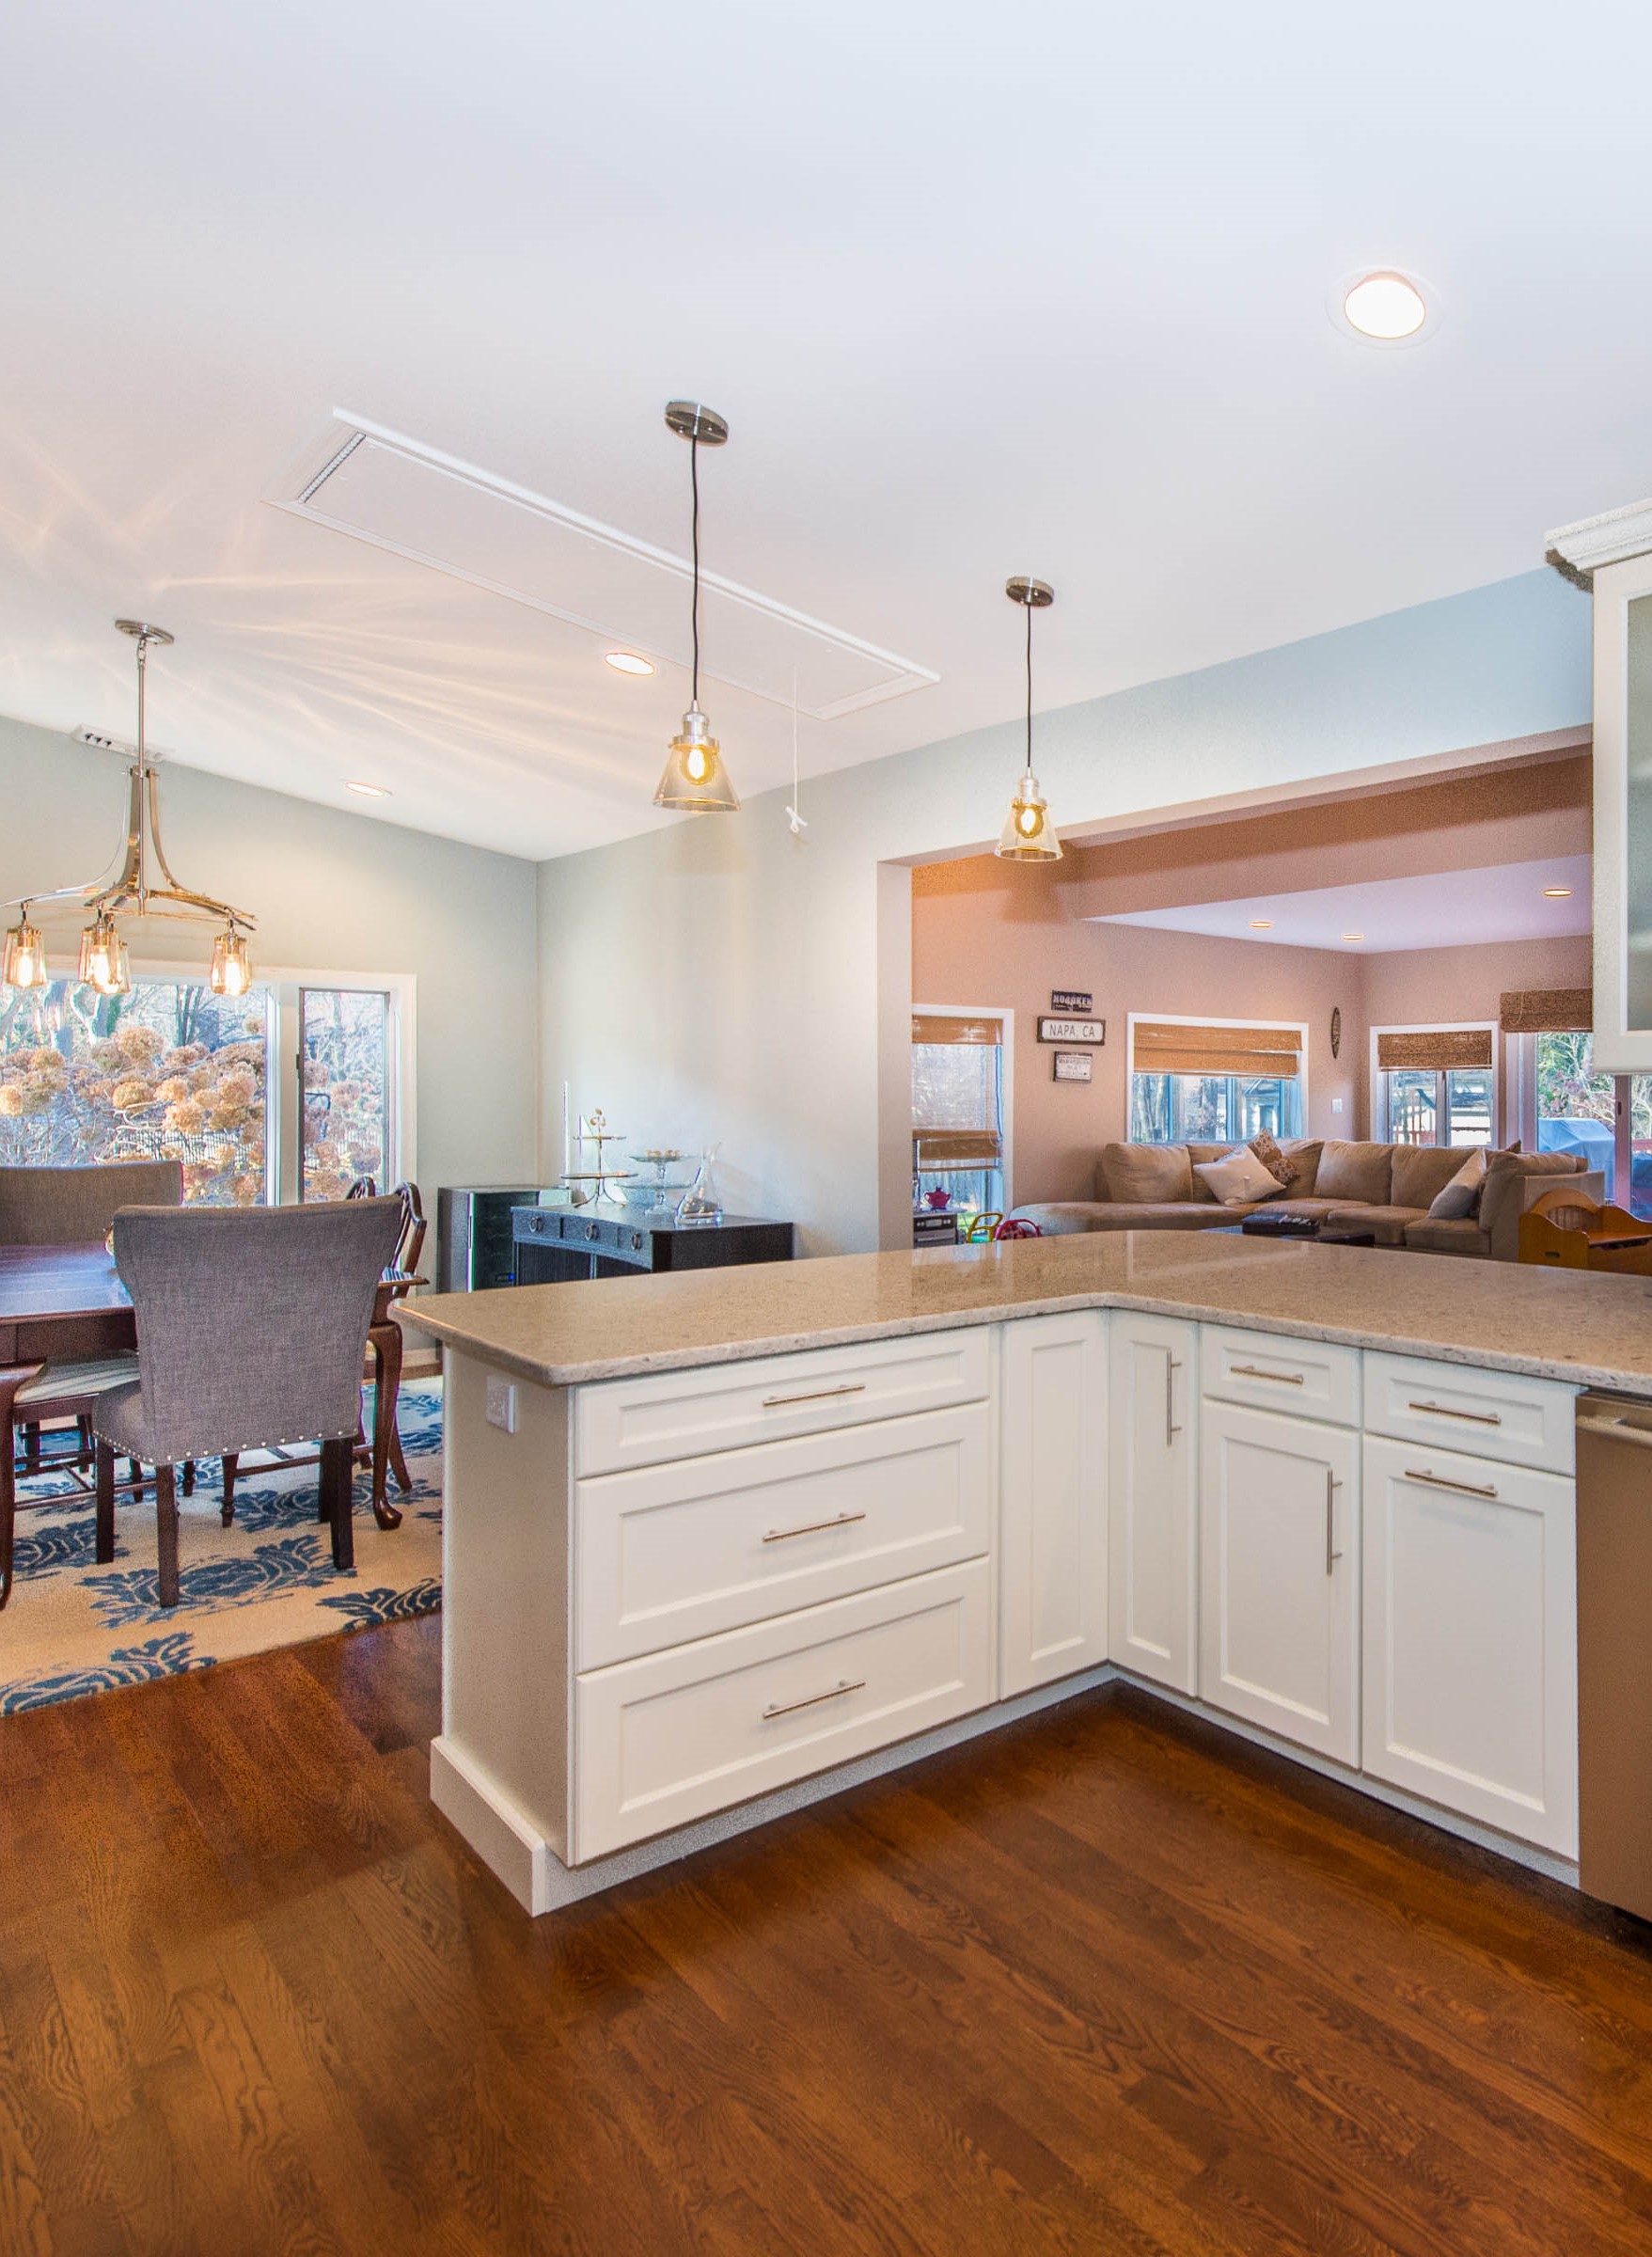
(331, 893)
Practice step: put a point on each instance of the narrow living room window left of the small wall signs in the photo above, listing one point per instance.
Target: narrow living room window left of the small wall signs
(960, 1141)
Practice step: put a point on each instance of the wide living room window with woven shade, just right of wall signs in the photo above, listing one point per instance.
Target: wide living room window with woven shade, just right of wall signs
(1215, 1080)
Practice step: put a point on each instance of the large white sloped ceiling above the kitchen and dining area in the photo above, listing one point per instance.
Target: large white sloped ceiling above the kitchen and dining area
(978, 292)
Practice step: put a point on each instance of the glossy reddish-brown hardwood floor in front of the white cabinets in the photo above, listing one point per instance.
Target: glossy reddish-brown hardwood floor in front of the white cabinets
(1102, 1983)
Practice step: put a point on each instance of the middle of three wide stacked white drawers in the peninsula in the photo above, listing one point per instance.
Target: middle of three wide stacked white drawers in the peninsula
(705, 1545)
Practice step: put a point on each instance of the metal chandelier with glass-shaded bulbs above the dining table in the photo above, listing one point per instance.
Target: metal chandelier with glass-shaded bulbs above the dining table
(141, 888)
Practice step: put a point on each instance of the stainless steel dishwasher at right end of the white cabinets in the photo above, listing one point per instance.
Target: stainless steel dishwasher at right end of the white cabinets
(1615, 1651)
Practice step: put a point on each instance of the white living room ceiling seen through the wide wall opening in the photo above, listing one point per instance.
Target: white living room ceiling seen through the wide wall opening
(1450, 911)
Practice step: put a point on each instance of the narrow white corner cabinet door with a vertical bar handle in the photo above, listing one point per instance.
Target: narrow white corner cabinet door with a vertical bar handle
(1152, 1498)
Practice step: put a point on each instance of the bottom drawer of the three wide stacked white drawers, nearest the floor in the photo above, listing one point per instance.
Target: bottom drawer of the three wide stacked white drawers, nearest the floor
(698, 1728)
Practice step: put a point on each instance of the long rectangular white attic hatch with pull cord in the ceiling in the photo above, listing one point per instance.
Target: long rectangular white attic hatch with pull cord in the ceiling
(430, 507)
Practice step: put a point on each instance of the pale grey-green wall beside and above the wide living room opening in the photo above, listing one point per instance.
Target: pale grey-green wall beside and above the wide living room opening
(726, 981)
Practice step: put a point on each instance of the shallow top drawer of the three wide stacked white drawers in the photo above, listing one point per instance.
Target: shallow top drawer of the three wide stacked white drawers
(624, 1423)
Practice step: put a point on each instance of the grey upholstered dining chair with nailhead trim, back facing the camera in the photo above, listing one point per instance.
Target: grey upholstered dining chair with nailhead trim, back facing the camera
(252, 1333)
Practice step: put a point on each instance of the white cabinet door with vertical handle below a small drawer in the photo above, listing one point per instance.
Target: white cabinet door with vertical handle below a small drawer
(1281, 1577)
